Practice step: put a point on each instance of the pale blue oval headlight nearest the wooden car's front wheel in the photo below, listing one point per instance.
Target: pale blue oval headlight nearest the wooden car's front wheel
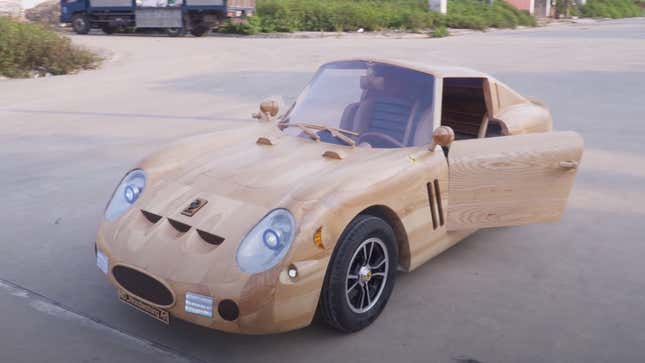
(267, 243)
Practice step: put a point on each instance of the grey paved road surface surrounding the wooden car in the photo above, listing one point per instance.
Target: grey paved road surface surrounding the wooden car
(567, 292)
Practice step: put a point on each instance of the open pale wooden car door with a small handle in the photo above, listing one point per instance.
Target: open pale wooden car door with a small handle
(511, 180)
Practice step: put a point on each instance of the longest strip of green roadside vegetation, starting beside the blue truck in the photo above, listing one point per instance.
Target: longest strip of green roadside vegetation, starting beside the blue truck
(373, 15)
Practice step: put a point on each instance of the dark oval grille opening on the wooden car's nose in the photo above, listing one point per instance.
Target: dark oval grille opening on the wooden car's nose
(141, 285)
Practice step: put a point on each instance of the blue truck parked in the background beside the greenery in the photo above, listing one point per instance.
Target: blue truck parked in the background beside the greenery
(175, 17)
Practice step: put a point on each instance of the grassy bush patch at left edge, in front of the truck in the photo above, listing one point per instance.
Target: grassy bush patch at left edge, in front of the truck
(27, 49)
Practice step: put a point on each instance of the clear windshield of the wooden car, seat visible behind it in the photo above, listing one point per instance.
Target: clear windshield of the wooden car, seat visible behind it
(374, 104)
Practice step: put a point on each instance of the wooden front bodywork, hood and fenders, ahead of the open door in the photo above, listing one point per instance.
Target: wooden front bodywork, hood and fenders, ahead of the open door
(242, 181)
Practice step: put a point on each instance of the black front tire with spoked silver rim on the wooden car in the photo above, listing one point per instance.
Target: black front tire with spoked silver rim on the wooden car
(340, 305)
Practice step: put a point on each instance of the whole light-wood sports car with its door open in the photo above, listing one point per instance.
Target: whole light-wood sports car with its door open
(378, 166)
